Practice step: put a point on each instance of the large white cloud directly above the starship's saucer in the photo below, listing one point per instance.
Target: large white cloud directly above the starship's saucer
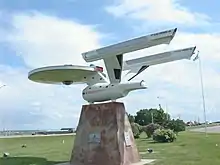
(43, 40)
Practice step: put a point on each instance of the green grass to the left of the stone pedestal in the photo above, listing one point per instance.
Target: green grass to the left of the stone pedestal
(40, 150)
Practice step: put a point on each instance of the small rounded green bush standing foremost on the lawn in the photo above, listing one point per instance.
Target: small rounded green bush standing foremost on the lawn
(164, 135)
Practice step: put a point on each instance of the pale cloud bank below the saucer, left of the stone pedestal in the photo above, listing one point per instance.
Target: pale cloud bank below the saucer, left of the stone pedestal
(39, 106)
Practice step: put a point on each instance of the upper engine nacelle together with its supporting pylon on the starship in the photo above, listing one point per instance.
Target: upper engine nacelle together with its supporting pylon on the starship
(113, 54)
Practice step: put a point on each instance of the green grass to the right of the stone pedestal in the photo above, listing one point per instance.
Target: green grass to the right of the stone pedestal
(189, 149)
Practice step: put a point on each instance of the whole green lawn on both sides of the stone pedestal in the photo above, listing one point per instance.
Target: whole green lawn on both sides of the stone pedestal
(190, 149)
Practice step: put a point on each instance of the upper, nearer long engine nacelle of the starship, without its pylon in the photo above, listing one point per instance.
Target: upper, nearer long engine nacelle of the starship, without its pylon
(163, 37)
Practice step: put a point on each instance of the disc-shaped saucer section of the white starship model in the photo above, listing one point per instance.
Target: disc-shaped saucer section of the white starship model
(67, 75)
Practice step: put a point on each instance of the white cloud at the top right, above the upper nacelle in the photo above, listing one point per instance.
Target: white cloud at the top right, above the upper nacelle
(157, 11)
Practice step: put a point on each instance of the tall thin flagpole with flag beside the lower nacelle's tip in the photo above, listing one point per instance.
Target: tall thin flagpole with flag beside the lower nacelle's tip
(202, 90)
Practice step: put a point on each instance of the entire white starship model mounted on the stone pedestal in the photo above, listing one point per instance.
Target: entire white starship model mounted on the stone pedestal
(100, 88)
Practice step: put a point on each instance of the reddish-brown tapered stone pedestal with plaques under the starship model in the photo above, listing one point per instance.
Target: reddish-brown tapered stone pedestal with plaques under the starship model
(104, 136)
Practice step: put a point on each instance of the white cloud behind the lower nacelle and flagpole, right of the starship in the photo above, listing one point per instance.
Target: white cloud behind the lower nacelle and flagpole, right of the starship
(179, 81)
